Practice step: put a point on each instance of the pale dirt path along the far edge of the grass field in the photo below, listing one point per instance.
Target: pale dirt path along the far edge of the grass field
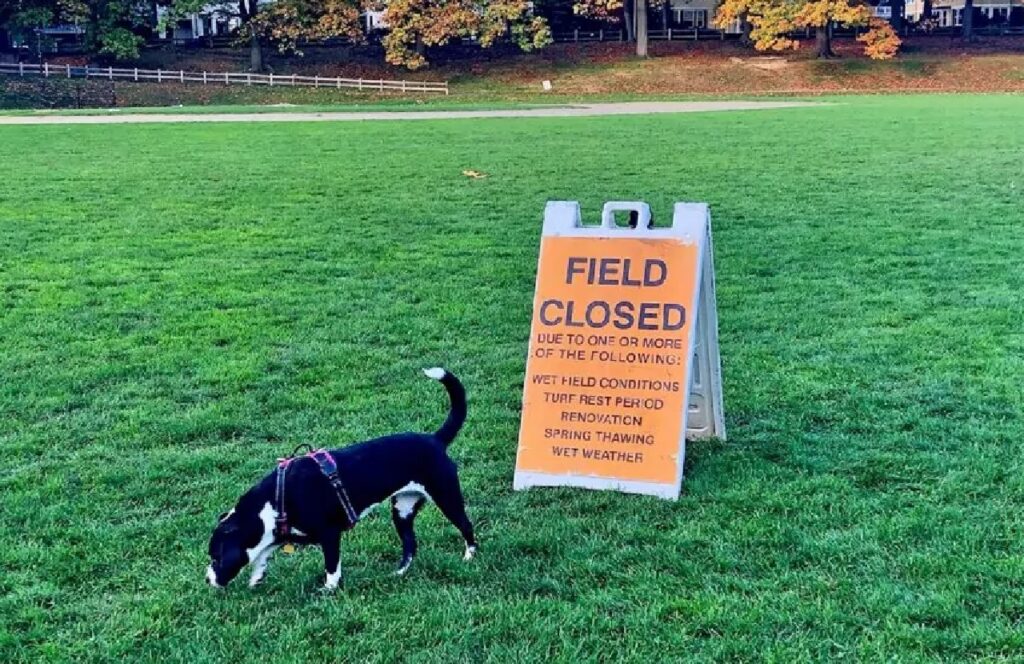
(633, 108)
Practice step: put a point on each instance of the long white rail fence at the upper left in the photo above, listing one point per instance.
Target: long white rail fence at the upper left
(222, 78)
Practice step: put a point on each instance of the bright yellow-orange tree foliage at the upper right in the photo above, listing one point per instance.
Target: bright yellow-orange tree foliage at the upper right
(774, 21)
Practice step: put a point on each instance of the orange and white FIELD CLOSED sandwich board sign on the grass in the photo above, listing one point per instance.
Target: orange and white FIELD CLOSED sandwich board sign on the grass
(624, 363)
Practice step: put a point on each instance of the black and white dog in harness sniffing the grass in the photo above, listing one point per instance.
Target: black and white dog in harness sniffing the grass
(327, 494)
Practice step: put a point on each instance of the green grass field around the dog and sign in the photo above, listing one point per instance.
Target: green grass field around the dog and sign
(184, 304)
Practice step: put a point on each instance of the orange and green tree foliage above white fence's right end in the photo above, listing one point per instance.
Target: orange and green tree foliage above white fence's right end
(415, 25)
